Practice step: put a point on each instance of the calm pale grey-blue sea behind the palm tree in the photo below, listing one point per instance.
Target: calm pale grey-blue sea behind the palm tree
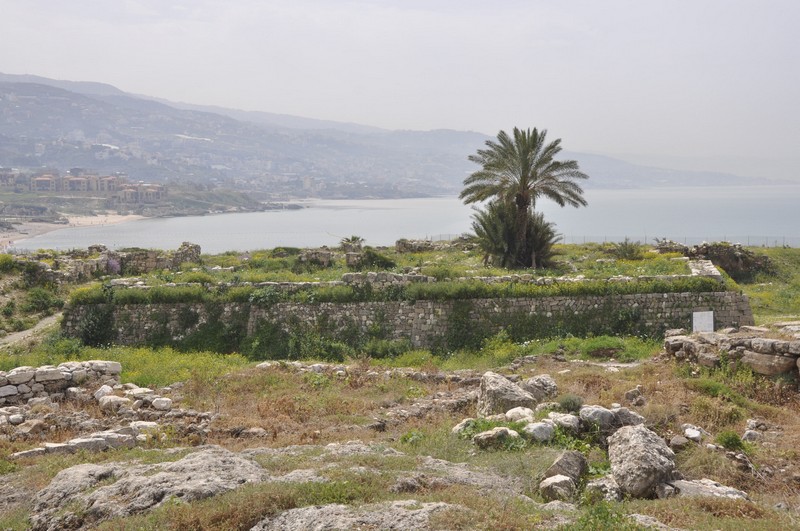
(763, 215)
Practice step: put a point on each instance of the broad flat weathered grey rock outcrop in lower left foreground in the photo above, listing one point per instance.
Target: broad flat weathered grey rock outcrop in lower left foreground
(84, 494)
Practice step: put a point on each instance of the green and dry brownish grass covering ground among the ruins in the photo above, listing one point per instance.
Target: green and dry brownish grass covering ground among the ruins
(315, 409)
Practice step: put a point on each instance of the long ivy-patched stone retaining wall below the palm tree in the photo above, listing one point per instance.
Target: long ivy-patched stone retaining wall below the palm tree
(423, 323)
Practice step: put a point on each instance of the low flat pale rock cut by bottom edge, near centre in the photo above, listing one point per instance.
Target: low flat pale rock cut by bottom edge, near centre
(406, 514)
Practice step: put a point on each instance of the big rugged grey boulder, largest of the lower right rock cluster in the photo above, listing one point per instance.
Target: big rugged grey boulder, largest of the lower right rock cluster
(640, 460)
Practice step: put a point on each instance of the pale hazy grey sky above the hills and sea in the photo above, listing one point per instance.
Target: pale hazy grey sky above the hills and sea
(687, 84)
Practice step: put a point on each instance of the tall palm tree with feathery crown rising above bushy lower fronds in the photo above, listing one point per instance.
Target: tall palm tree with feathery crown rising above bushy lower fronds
(518, 171)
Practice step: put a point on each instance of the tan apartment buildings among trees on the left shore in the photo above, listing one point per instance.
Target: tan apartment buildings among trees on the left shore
(77, 181)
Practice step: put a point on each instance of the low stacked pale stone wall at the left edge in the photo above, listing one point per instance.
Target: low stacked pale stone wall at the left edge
(23, 383)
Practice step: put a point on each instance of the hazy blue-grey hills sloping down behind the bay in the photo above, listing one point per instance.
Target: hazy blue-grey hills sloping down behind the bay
(66, 124)
